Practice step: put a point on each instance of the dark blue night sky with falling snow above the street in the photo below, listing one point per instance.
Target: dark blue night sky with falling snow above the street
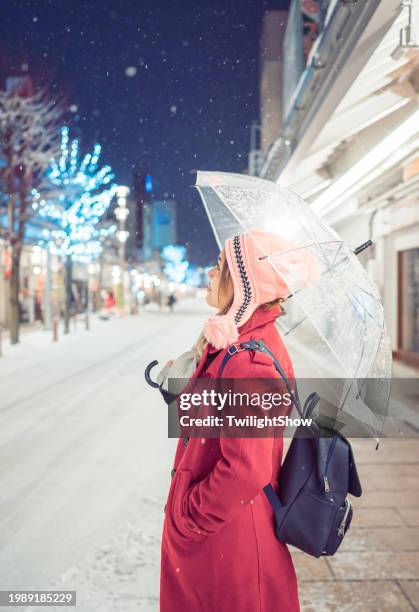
(168, 87)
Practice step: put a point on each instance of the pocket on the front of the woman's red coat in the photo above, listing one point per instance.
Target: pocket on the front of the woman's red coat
(184, 524)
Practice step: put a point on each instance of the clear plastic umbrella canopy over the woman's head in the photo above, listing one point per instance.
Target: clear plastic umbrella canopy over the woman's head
(334, 327)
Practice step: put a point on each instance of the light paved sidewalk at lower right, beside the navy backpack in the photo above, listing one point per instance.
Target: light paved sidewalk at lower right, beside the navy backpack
(377, 565)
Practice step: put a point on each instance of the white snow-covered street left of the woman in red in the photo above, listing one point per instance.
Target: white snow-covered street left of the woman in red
(85, 460)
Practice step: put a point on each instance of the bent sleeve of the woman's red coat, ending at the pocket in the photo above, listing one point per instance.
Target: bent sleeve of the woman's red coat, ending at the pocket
(244, 468)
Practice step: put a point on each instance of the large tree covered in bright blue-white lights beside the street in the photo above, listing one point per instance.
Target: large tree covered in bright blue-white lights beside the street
(75, 199)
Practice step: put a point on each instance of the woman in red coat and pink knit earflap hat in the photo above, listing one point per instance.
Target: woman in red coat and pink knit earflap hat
(219, 550)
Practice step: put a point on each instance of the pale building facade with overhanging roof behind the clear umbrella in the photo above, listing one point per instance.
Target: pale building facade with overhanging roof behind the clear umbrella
(348, 141)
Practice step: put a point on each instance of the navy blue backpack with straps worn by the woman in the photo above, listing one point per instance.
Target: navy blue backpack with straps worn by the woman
(312, 510)
